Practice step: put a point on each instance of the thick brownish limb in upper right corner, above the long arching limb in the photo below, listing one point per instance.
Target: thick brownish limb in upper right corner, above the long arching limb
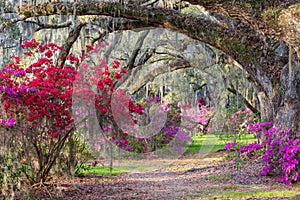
(269, 17)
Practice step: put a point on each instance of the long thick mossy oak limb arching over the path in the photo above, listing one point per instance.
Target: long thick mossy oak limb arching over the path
(243, 44)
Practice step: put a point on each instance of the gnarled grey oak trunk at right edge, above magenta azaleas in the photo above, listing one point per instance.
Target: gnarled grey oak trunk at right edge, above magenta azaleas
(282, 103)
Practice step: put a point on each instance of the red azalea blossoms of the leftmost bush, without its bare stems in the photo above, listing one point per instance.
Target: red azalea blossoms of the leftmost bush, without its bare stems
(42, 91)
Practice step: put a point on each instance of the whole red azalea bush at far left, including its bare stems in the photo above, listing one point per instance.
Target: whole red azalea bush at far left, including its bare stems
(38, 98)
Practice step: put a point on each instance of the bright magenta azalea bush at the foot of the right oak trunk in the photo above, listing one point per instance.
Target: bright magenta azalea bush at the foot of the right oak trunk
(280, 151)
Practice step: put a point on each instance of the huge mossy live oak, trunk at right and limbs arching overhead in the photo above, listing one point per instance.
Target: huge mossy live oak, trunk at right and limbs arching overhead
(260, 35)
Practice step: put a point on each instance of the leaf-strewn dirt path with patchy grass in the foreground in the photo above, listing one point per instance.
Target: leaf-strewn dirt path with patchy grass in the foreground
(185, 178)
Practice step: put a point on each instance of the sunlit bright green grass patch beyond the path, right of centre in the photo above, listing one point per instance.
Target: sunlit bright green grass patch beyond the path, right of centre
(211, 143)
